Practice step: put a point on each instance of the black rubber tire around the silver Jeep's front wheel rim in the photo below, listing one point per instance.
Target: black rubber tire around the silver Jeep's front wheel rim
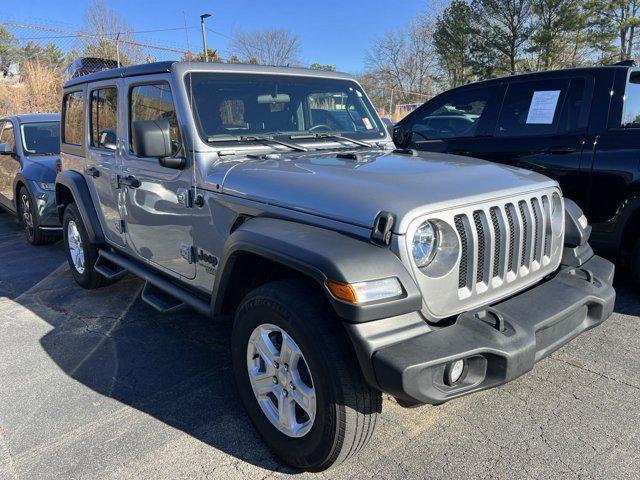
(346, 407)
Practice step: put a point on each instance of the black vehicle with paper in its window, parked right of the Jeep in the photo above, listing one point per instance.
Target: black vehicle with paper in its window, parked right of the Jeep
(579, 126)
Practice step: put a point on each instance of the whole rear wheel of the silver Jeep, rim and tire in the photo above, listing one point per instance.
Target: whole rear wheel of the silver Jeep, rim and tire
(82, 254)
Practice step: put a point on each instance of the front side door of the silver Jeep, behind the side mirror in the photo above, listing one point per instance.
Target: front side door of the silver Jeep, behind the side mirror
(156, 198)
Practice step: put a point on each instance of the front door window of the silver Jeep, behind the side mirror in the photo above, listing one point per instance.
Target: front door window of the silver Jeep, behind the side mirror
(155, 102)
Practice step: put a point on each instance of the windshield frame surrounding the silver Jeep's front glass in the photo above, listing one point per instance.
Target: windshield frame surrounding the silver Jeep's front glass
(378, 134)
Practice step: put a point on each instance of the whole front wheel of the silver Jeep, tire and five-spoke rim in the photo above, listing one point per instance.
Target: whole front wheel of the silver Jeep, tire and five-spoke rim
(298, 377)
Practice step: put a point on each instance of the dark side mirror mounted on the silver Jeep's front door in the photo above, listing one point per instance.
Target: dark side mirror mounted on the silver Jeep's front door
(152, 138)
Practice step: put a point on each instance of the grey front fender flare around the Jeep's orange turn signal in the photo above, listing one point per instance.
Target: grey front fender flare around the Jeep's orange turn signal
(320, 254)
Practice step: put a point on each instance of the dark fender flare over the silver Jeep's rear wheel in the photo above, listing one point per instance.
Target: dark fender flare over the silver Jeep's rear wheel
(77, 185)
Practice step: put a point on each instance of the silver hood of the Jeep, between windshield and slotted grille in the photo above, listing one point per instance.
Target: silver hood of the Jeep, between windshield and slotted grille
(355, 191)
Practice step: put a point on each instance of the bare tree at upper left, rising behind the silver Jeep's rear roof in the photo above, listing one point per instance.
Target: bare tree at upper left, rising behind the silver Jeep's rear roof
(107, 35)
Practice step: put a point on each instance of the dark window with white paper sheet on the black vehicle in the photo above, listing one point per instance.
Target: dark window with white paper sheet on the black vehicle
(532, 108)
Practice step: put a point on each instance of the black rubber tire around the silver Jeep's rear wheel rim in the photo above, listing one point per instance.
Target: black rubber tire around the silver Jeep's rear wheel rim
(86, 276)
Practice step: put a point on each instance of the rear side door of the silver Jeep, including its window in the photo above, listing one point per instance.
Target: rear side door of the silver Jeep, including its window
(102, 163)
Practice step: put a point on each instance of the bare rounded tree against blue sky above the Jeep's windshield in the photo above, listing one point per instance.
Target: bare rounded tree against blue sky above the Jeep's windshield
(276, 47)
